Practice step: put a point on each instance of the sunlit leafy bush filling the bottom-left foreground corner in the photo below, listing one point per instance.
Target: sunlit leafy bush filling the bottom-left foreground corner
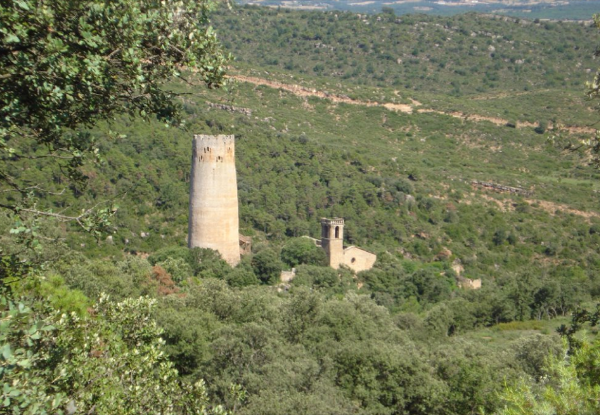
(54, 362)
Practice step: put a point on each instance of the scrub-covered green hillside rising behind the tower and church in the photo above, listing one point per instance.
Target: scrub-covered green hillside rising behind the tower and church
(402, 164)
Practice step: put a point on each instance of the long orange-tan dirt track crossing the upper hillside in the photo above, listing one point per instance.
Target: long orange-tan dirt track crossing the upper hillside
(302, 91)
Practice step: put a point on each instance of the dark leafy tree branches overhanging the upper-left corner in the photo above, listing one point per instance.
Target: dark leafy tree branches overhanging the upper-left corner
(65, 66)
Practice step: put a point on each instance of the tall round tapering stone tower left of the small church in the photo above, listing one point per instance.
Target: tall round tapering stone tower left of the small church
(214, 220)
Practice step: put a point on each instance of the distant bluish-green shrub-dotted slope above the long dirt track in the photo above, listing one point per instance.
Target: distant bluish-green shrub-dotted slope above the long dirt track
(457, 55)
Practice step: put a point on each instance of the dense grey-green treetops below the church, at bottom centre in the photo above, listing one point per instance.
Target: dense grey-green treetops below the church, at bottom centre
(329, 348)
